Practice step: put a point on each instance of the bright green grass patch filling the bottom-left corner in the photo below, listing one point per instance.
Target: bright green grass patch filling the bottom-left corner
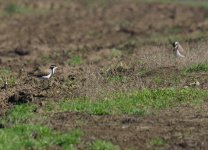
(24, 130)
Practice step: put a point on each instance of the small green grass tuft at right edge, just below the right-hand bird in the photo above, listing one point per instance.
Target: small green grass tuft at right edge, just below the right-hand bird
(197, 68)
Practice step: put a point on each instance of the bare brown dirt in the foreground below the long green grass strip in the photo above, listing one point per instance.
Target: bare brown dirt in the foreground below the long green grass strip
(184, 127)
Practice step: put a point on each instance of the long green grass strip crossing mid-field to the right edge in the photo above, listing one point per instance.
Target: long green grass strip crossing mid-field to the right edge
(135, 103)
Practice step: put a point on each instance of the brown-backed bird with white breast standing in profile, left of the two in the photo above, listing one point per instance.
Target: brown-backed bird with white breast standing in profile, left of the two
(45, 74)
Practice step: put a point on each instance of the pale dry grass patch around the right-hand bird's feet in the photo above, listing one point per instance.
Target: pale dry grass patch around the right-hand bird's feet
(144, 68)
